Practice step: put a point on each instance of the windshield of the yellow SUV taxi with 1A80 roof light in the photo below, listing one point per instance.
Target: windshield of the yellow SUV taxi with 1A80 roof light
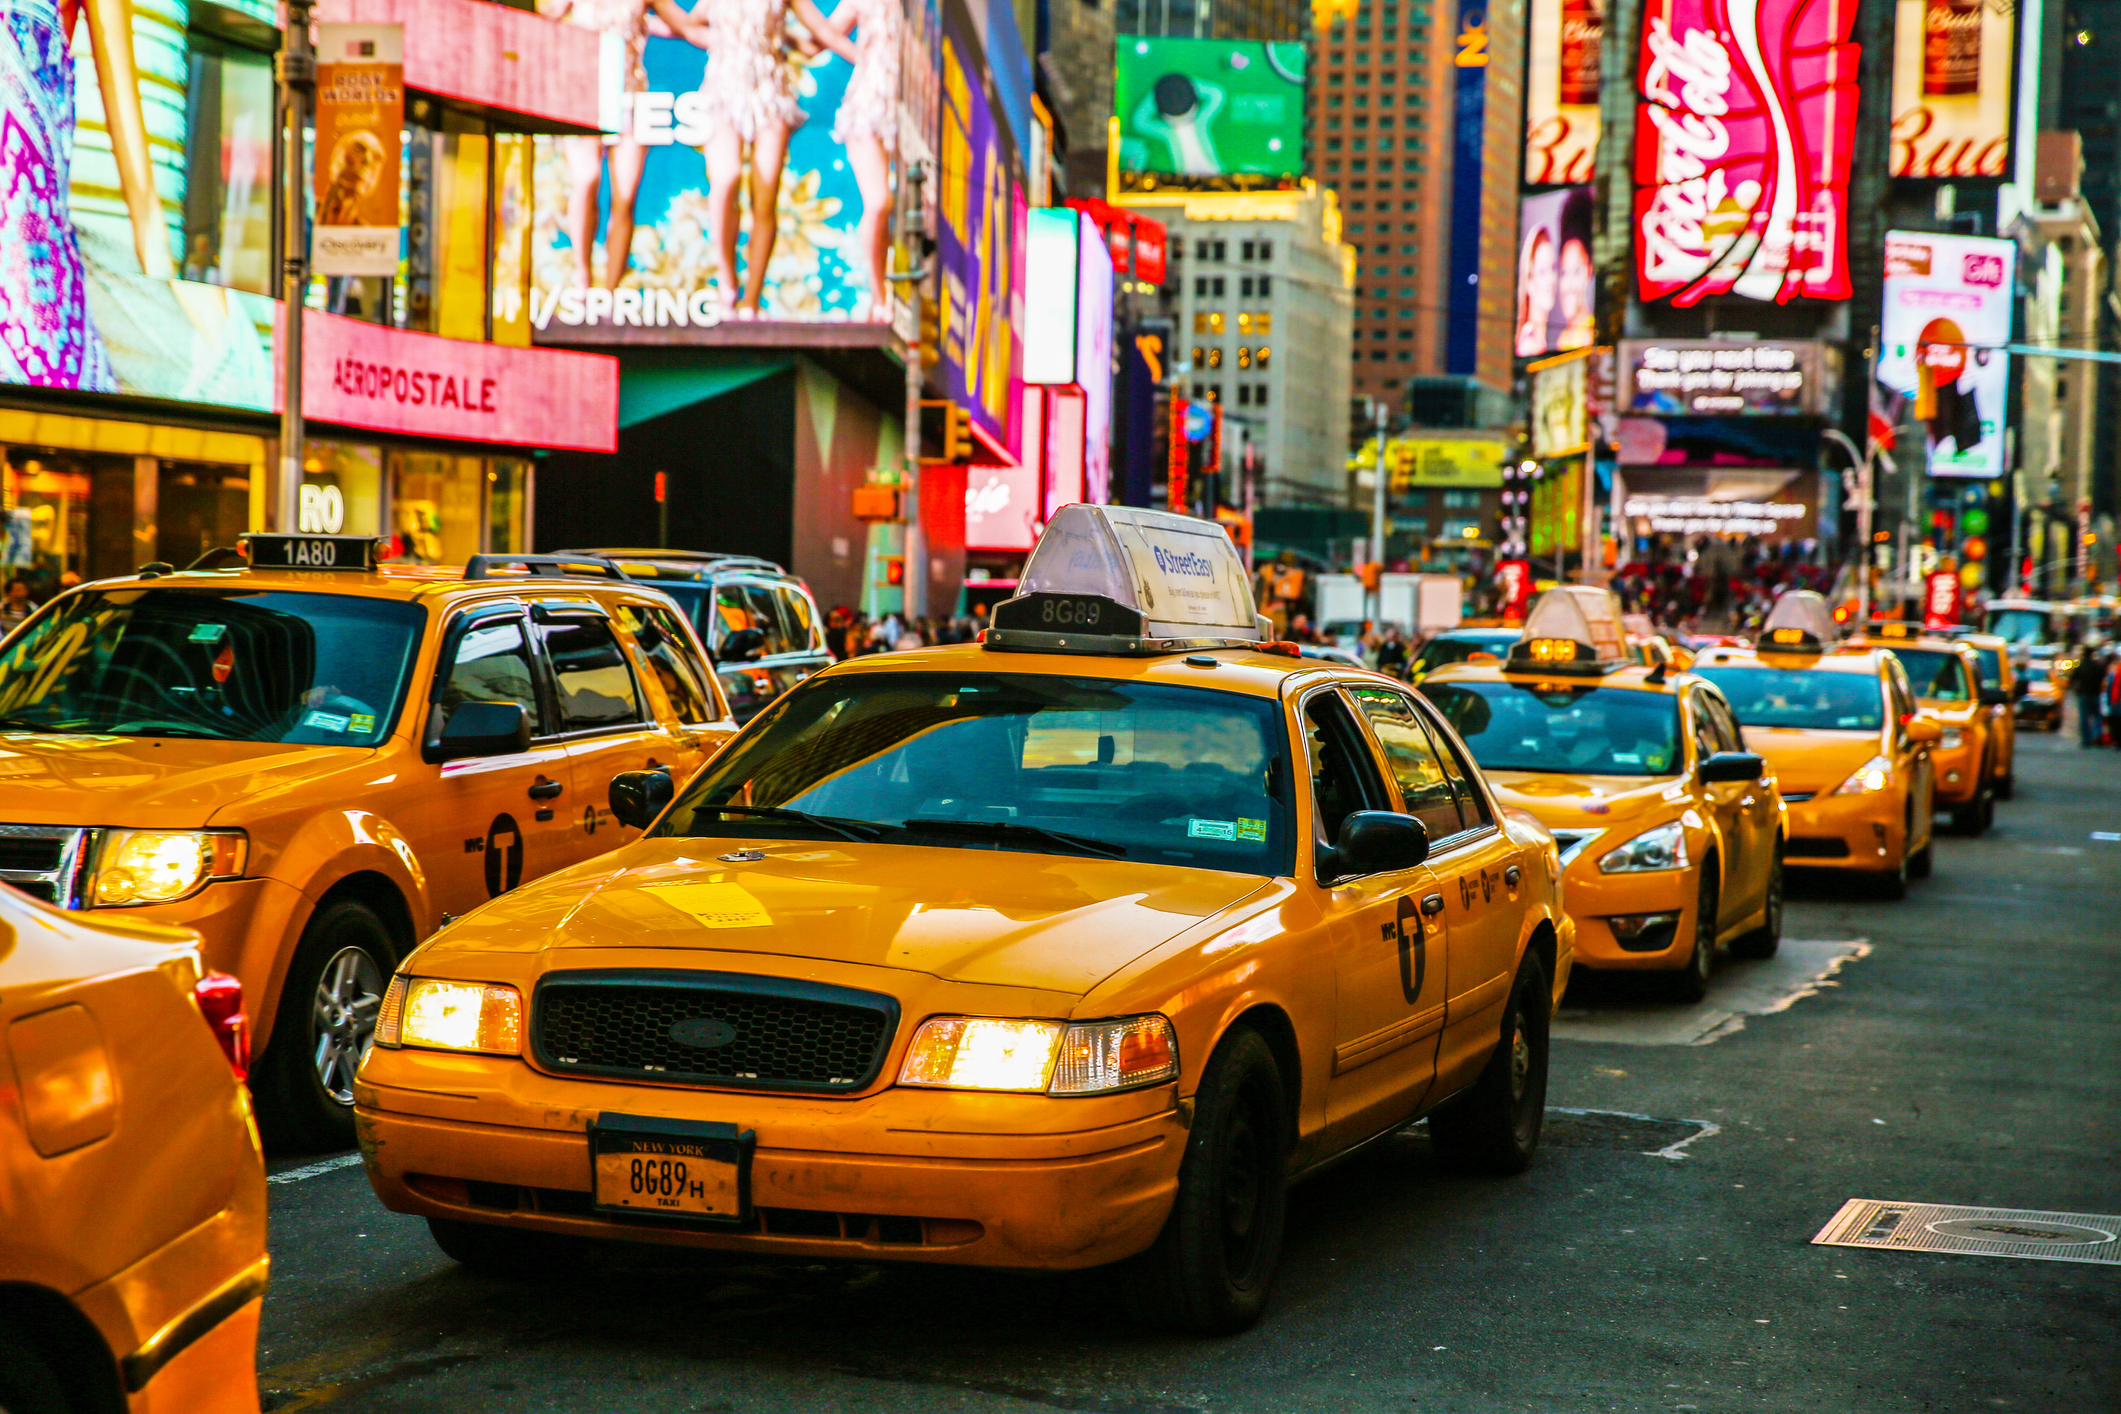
(226, 665)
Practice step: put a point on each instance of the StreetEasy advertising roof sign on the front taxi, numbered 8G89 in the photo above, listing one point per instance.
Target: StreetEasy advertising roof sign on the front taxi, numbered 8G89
(1123, 580)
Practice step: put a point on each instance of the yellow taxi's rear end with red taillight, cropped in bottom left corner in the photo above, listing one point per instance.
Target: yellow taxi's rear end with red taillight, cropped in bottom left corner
(133, 1190)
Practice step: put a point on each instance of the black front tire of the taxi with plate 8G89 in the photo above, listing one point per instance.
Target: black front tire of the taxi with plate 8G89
(1210, 1269)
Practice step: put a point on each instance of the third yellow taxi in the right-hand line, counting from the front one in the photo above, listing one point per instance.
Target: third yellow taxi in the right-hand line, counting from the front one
(1846, 739)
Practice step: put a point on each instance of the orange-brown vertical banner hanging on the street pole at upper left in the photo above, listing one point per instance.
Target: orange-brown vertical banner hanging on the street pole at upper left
(360, 118)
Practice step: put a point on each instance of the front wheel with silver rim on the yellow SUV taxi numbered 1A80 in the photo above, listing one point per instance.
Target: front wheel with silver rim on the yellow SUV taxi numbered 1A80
(323, 1027)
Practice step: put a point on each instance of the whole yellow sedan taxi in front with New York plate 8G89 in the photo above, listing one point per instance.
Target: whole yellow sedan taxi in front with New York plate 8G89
(1057, 951)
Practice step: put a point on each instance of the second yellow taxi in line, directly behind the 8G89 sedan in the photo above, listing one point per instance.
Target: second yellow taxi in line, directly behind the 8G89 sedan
(1670, 826)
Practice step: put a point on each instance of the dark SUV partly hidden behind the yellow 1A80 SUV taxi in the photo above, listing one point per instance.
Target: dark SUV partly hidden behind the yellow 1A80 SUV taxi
(756, 618)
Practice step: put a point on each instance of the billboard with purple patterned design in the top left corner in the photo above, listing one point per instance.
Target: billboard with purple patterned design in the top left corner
(107, 209)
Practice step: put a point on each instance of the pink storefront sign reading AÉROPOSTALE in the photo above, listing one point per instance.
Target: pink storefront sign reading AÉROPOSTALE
(389, 381)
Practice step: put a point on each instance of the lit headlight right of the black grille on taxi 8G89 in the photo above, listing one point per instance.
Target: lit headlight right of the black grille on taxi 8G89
(966, 1053)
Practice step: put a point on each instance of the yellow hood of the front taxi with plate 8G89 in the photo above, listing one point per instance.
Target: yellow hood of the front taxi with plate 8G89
(1057, 923)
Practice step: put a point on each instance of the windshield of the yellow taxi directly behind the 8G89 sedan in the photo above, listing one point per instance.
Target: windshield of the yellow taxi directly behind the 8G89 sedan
(1554, 728)
